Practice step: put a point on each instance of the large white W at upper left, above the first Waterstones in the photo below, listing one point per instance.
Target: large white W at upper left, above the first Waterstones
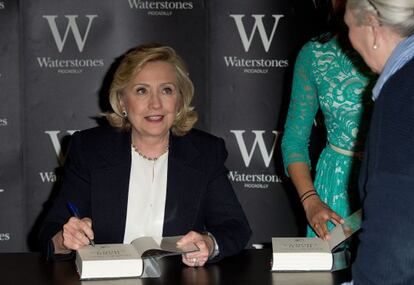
(71, 26)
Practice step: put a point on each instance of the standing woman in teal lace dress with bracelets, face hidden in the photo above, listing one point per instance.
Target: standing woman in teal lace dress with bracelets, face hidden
(329, 75)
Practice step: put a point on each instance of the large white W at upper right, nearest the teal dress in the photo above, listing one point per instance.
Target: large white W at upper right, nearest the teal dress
(258, 25)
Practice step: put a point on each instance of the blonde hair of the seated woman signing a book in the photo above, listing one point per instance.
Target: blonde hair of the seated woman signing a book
(131, 64)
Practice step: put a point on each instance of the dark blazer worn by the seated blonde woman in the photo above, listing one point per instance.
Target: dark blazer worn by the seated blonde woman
(199, 194)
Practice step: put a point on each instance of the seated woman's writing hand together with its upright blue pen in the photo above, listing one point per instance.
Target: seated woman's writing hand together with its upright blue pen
(83, 225)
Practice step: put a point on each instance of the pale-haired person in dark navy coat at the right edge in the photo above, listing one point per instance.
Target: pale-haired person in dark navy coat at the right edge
(382, 31)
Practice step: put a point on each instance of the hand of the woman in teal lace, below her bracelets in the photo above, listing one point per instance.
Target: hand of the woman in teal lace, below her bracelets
(319, 214)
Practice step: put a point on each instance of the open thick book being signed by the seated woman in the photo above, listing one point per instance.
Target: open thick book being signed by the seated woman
(138, 259)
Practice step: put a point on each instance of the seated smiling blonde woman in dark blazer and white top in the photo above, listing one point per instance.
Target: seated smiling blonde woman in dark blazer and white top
(149, 173)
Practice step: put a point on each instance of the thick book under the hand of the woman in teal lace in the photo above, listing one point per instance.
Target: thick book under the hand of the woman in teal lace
(312, 254)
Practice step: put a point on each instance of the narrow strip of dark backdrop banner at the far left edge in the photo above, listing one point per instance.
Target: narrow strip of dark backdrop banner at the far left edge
(12, 203)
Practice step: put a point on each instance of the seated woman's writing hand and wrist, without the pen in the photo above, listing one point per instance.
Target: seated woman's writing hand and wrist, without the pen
(75, 234)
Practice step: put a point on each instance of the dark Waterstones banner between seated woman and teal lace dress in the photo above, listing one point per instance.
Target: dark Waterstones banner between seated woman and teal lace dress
(250, 60)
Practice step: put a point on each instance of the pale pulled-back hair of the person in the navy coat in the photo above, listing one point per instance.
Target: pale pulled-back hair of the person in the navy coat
(396, 14)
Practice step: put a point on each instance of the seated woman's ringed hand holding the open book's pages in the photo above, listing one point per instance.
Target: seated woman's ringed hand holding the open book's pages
(204, 242)
